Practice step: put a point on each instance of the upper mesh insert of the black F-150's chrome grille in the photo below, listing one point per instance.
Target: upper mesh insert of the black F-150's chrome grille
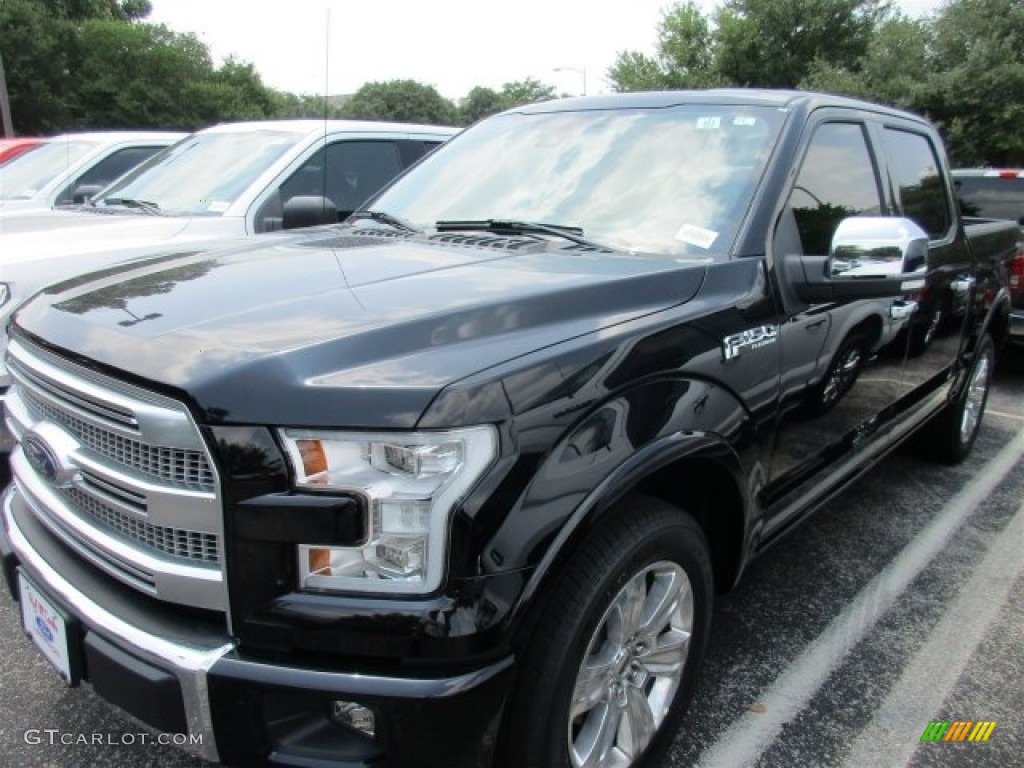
(185, 468)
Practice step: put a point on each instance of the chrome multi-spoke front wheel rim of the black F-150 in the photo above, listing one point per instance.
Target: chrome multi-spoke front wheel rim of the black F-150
(632, 669)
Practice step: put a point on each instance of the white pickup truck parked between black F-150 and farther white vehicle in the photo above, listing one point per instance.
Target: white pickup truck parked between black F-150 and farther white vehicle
(224, 183)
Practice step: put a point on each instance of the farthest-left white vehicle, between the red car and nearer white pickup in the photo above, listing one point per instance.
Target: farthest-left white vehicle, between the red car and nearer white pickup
(52, 174)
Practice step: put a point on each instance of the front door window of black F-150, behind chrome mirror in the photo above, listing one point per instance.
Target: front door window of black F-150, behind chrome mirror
(837, 181)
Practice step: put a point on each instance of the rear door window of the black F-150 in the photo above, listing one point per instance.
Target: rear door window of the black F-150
(916, 173)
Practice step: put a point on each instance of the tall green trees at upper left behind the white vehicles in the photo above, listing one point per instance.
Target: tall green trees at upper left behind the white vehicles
(74, 65)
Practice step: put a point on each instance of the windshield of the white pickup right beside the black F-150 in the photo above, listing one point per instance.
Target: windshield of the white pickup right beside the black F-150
(202, 176)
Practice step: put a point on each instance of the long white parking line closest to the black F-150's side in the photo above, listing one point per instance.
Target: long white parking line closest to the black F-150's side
(749, 737)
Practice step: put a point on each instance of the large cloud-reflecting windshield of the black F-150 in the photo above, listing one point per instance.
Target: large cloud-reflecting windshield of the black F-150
(674, 182)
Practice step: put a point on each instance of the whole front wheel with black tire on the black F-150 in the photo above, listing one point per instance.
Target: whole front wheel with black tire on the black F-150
(649, 553)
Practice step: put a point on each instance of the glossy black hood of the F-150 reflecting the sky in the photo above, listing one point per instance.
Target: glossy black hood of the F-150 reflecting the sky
(344, 328)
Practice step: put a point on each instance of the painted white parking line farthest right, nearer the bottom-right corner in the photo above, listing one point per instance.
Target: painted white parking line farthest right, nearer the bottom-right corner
(894, 733)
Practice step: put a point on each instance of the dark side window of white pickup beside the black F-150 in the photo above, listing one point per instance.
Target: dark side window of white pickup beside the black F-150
(348, 174)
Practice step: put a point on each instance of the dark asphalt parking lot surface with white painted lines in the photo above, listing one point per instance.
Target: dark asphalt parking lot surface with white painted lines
(897, 606)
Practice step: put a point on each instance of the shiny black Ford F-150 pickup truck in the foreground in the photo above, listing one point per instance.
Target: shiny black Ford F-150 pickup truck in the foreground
(455, 483)
